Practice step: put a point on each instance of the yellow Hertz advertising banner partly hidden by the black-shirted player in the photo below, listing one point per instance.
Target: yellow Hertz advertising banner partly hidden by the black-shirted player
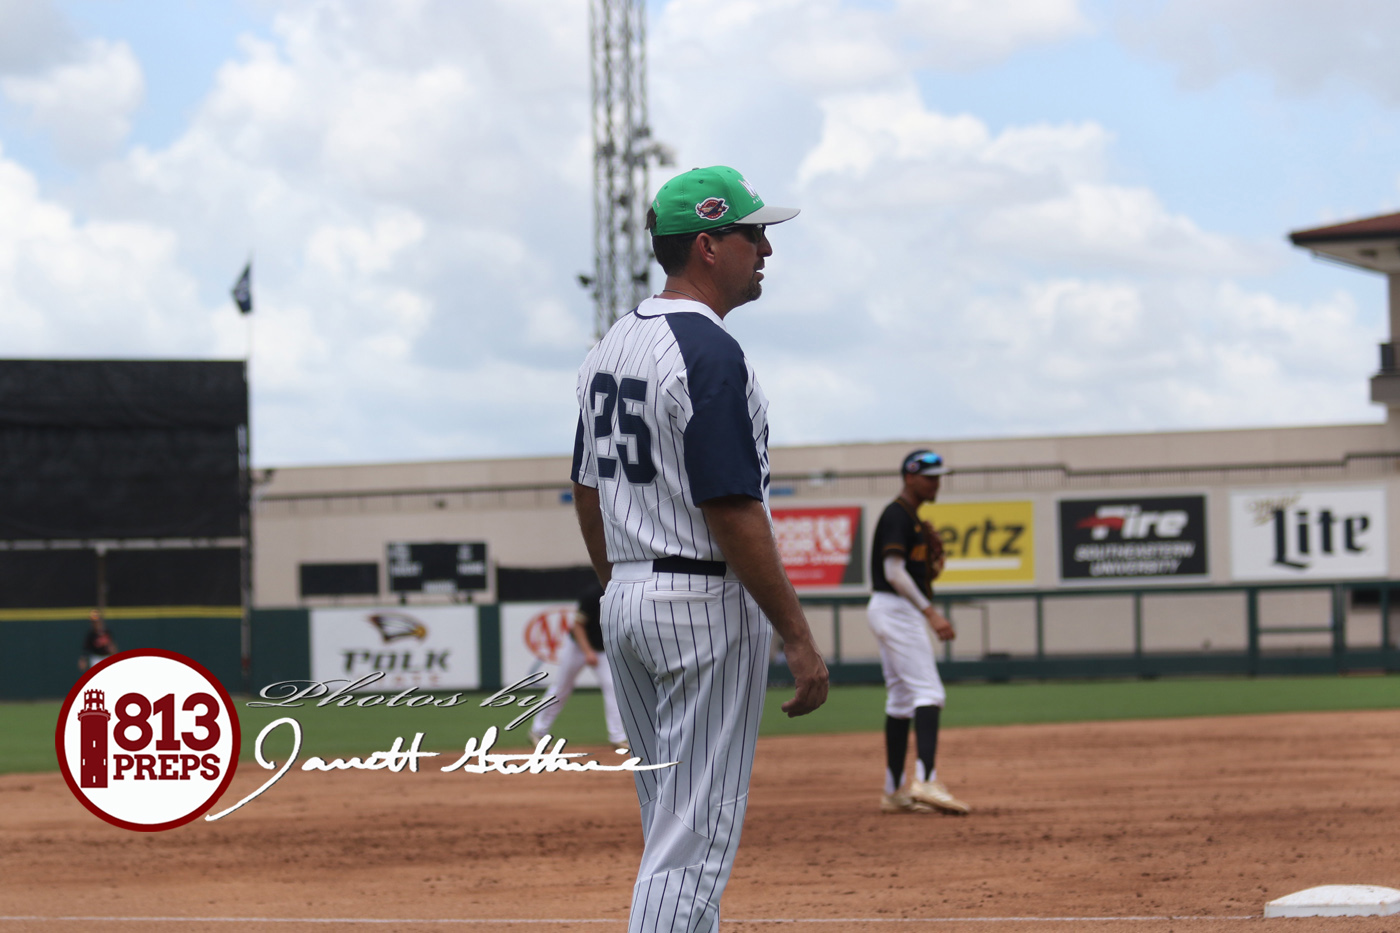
(985, 543)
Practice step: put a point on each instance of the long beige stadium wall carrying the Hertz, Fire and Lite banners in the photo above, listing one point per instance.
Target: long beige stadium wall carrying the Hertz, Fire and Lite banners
(1037, 575)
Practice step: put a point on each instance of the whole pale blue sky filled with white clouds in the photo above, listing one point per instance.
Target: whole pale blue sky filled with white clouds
(1020, 216)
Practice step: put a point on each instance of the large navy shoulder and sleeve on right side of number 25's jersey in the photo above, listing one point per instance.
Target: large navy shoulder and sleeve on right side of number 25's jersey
(722, 455)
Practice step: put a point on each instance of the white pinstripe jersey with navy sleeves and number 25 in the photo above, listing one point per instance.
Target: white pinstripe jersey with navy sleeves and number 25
(671, 415)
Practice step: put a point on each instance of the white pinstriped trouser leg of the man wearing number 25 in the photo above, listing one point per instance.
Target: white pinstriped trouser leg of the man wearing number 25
(710, 663)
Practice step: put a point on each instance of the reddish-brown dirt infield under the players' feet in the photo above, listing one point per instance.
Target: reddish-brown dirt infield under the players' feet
(1095, 827)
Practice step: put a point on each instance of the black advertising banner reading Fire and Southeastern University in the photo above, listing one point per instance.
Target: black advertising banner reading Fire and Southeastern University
(1133, 539)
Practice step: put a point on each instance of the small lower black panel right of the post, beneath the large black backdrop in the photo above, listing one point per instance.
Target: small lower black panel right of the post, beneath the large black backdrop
(208, 576)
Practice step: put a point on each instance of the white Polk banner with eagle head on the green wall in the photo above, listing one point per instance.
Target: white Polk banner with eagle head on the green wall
(430, 647)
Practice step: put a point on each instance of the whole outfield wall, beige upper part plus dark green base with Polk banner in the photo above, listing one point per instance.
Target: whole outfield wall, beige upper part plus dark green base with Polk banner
(1235, 551)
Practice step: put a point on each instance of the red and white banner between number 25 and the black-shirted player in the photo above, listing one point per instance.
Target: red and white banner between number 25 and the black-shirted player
(821, 548)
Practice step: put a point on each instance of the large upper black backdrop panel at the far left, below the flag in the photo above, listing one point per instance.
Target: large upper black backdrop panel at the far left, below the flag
(129, 449)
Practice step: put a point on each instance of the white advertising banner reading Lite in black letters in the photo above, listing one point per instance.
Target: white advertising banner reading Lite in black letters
(1303, 534)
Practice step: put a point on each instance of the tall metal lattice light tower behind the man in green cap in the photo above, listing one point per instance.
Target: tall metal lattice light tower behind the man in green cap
(622, 152)
